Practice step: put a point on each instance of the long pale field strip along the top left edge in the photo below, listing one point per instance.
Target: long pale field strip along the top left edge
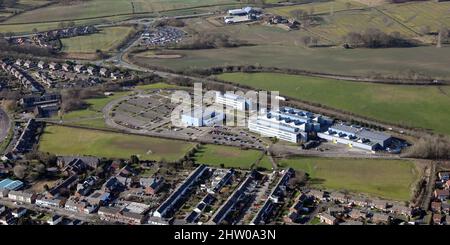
(104, 11)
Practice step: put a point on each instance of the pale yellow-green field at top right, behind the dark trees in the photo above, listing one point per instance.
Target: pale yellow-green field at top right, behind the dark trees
(341, 16)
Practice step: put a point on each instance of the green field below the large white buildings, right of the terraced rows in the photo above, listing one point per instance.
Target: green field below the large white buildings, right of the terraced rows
(390, 179)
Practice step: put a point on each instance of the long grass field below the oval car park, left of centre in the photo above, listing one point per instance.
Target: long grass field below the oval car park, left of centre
(72, 141)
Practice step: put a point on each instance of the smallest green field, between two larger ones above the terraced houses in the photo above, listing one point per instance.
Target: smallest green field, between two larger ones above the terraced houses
(231, 157)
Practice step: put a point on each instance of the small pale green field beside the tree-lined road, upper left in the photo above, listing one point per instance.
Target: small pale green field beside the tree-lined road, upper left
(107, 40)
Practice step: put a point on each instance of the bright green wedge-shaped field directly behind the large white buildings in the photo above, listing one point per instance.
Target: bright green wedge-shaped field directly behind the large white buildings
(418, 106)
